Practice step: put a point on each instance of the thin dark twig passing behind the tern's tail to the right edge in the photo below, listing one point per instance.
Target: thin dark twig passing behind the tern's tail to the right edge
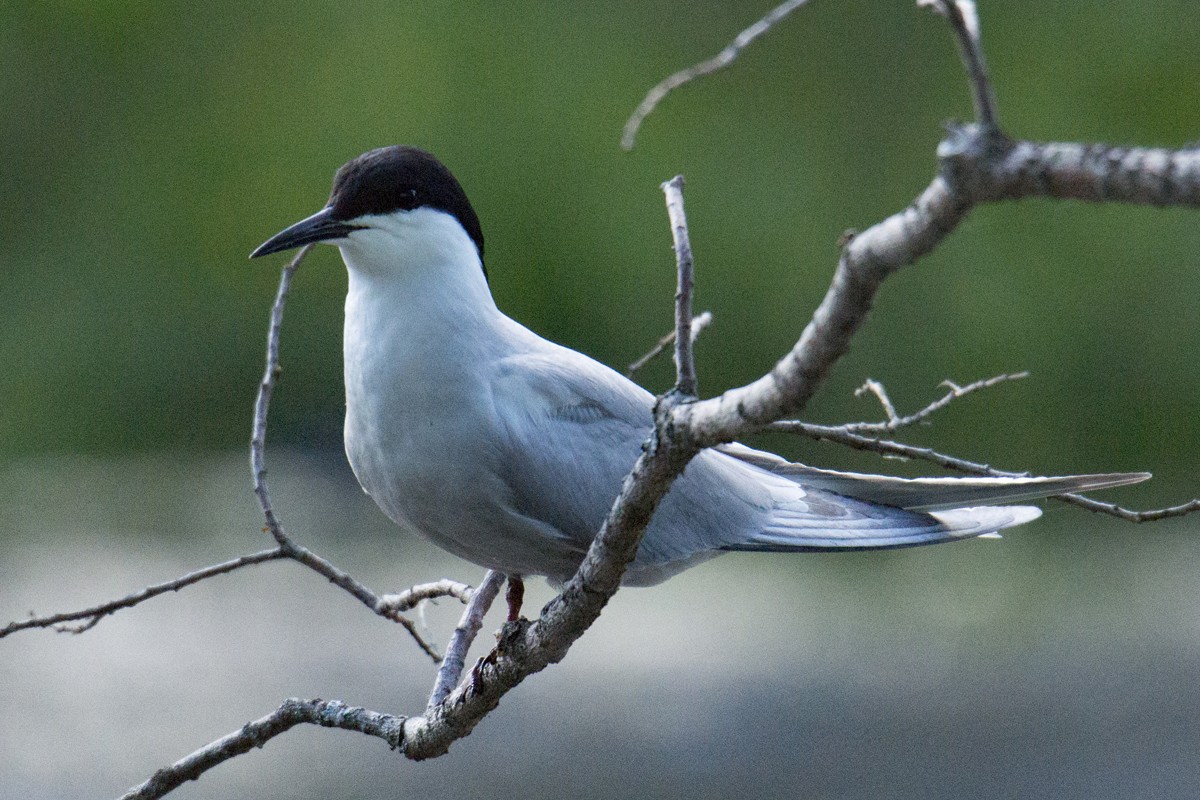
(841, 435)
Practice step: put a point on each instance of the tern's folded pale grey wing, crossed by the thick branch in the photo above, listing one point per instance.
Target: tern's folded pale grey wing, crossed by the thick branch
(573, 430)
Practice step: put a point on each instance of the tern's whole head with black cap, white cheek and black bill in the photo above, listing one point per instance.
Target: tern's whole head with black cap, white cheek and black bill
(389, 206)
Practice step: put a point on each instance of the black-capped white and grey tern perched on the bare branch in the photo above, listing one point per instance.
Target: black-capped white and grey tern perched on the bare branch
(508, 450)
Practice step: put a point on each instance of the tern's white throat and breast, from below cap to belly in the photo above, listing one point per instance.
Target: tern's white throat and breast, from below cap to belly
(422, 341)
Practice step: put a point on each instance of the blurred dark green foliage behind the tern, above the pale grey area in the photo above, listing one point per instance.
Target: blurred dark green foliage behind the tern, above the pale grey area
(149, 147)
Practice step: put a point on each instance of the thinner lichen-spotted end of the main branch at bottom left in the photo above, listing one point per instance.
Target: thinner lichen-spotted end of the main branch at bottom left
(329, 714)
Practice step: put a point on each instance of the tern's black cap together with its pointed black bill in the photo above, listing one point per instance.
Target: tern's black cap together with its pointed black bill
(381, 182)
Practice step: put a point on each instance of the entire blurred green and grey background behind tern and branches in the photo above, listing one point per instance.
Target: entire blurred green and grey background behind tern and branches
(151, 146)
